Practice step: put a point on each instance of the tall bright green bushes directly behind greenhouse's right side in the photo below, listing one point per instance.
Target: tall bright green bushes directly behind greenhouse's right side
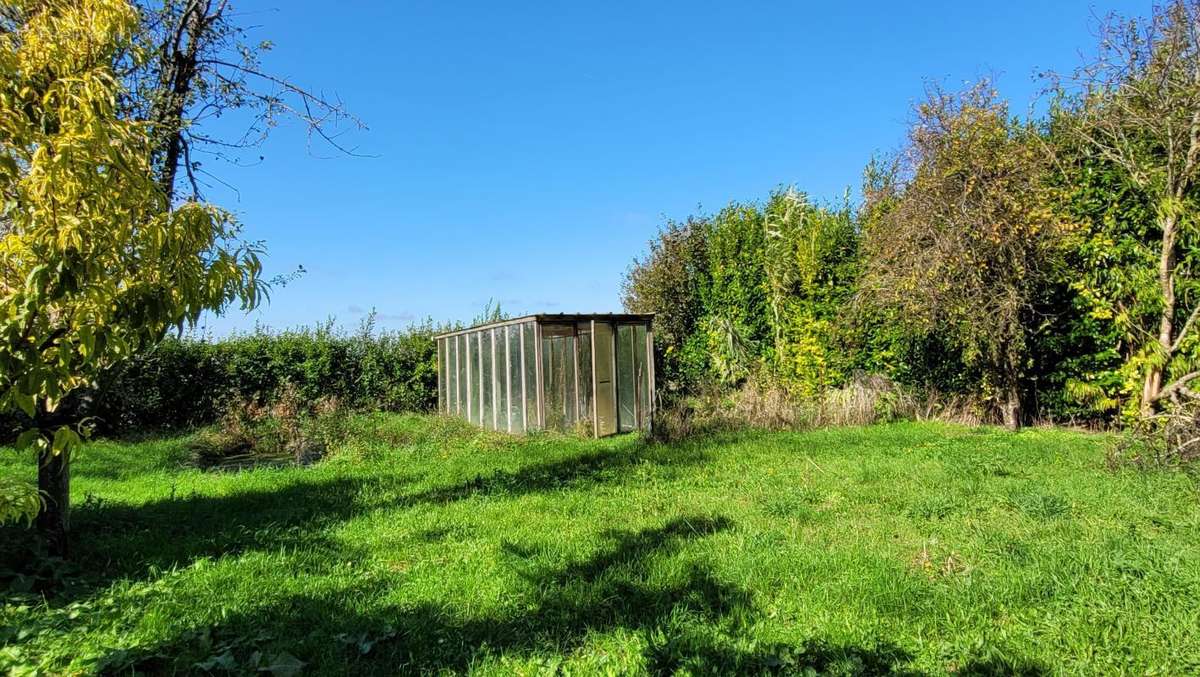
(752, 289)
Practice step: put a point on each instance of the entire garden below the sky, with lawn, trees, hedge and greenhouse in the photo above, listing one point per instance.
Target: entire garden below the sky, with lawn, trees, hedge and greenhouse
(947, 424)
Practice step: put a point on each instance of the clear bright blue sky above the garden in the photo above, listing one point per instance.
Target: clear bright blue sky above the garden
(526, 153)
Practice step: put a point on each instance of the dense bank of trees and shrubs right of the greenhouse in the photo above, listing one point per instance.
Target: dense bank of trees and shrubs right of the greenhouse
(1033, 269)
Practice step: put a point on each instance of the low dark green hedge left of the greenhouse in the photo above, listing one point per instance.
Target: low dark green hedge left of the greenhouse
(187, 382)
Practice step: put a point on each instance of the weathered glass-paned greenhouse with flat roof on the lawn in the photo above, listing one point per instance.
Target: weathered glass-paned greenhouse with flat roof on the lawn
(589, 374)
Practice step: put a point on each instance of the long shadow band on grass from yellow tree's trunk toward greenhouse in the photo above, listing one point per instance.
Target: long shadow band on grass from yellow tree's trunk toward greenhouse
(115, 541)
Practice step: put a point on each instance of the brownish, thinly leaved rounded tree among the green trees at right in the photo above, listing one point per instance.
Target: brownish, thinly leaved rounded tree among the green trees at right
(968, 237)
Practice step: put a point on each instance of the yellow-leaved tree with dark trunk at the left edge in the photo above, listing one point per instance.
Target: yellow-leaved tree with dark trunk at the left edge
(95, 266)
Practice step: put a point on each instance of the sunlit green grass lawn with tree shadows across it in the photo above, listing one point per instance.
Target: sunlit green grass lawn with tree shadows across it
(424, 547)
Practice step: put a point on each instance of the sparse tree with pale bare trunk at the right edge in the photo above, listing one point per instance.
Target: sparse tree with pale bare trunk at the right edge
(1136, 110)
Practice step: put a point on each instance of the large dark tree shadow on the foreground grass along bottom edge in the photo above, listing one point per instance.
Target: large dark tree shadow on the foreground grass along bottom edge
(689, 618)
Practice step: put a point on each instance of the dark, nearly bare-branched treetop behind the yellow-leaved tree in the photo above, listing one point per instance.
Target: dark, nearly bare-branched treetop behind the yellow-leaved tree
(203, 65)
